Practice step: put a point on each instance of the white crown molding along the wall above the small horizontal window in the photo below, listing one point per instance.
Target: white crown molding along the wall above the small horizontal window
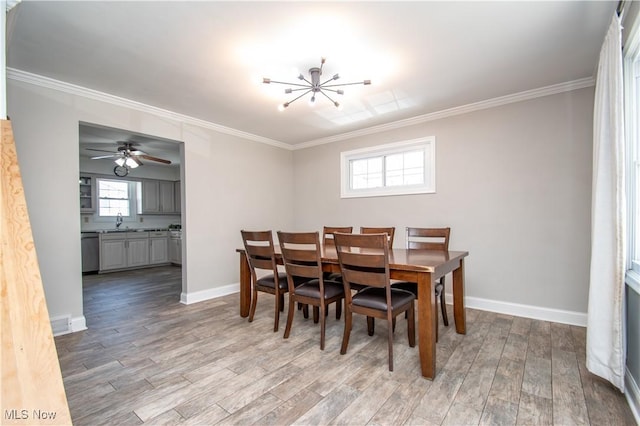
(464, 109)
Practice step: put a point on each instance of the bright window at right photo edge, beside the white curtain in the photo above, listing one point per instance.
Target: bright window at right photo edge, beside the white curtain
(632, 135)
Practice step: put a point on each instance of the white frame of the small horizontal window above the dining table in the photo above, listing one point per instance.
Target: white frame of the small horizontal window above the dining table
(427, 144)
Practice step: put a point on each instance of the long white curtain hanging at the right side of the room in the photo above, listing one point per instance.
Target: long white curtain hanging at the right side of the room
(605, 324)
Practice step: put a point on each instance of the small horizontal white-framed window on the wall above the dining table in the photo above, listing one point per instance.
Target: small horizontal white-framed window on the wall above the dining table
(393, 169)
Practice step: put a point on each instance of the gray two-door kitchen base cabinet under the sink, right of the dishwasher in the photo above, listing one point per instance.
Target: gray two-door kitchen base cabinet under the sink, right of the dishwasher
(121, 250)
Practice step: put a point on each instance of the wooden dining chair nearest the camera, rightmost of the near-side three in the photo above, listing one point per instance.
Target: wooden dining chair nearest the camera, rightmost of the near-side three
(364, 258)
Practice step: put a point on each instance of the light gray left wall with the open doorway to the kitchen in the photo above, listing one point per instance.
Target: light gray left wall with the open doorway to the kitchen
(229, 183)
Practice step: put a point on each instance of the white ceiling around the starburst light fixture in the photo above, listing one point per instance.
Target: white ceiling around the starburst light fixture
(206, 59)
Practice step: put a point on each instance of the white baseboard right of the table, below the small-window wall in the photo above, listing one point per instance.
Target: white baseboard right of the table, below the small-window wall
(526, 311)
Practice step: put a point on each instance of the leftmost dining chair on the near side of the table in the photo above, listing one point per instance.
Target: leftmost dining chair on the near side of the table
(260, 253)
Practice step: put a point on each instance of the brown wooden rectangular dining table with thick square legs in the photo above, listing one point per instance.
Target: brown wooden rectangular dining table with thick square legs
(423, 267)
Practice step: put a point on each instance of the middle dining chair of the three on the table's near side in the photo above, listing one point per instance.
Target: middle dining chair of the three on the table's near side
(302, 259)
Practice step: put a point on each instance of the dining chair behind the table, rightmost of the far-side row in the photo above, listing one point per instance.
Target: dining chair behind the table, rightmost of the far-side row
(428, 239)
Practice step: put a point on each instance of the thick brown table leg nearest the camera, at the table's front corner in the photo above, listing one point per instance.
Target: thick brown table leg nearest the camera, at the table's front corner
(427, 325)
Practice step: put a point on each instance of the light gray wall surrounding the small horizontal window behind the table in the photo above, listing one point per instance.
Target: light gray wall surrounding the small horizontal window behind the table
(513, 183)
